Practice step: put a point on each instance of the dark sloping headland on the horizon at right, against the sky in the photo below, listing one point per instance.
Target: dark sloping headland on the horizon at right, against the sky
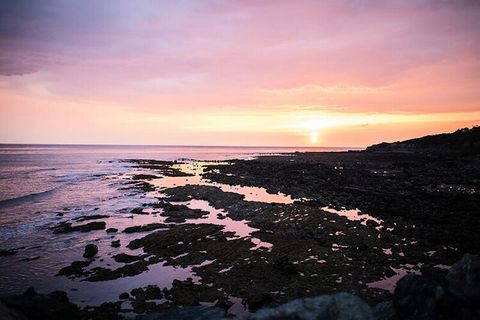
(466, 141)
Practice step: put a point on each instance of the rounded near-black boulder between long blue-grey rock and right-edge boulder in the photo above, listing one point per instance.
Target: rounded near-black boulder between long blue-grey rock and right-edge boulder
(418, 298)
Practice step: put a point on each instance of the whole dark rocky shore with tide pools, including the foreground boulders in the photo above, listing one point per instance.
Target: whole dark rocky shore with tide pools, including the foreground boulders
(352, 222)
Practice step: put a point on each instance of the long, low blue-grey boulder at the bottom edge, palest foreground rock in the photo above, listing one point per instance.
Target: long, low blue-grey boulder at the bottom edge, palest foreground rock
(341, 306)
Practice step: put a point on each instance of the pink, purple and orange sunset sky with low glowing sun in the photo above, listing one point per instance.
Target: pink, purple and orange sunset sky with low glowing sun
(267, 73)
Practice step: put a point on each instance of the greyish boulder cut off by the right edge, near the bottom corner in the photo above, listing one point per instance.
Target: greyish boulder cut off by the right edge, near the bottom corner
(464, 277)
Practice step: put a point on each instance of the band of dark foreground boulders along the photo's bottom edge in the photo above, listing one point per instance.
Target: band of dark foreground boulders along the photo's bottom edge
(427, 296)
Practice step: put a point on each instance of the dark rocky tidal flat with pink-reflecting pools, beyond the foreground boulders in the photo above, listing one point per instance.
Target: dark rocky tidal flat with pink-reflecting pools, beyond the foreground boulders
(348, 242)
